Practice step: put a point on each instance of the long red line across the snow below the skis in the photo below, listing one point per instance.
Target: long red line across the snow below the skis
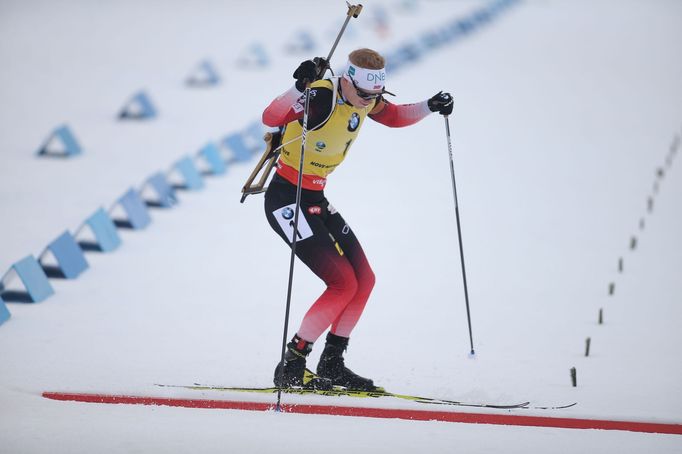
(417, 415)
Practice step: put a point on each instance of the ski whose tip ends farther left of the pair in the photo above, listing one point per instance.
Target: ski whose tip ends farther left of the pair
(341, 391)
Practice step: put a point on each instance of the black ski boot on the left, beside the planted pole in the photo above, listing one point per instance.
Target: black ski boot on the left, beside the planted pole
(293, 372)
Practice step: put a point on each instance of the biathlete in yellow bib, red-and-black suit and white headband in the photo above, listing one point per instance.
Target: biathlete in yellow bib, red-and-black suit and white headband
(338, 108)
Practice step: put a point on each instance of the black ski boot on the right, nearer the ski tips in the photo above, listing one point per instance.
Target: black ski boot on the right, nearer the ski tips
(332, 366)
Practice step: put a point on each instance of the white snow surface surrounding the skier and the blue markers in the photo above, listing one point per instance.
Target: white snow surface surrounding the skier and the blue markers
(564, 112)
